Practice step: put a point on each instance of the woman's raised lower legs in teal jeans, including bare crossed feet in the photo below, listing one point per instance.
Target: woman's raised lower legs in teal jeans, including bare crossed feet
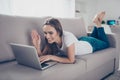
(101, 41)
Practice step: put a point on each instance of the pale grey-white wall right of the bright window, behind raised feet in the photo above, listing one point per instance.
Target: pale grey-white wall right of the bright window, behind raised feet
(93, 6)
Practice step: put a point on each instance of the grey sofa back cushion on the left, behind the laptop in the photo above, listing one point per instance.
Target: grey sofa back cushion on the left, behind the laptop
(16, 30)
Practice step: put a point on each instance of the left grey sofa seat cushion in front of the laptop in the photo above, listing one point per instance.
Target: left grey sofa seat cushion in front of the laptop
(14, 71)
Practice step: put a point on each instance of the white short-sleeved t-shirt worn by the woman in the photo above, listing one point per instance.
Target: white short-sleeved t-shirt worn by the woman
(81, 47)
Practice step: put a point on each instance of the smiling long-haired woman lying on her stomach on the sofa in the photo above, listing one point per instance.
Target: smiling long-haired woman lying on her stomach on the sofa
(59, 42)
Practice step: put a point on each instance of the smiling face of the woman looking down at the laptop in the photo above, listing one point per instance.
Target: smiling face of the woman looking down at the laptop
(50, 33)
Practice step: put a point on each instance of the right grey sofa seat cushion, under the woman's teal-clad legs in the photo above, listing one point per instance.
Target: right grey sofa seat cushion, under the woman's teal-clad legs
(98, 58)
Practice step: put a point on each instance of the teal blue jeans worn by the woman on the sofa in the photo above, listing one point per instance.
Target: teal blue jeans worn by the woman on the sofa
(97, 39)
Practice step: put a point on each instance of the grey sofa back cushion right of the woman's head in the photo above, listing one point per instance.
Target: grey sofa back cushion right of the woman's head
(74, 25)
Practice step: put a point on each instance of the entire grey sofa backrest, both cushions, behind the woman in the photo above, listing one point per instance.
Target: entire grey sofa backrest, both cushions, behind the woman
(17, 29)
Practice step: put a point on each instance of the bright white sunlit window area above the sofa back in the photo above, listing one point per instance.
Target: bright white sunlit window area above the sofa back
(57, 8)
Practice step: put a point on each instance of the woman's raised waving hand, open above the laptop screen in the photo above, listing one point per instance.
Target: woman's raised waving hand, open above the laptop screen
(36, 40)
